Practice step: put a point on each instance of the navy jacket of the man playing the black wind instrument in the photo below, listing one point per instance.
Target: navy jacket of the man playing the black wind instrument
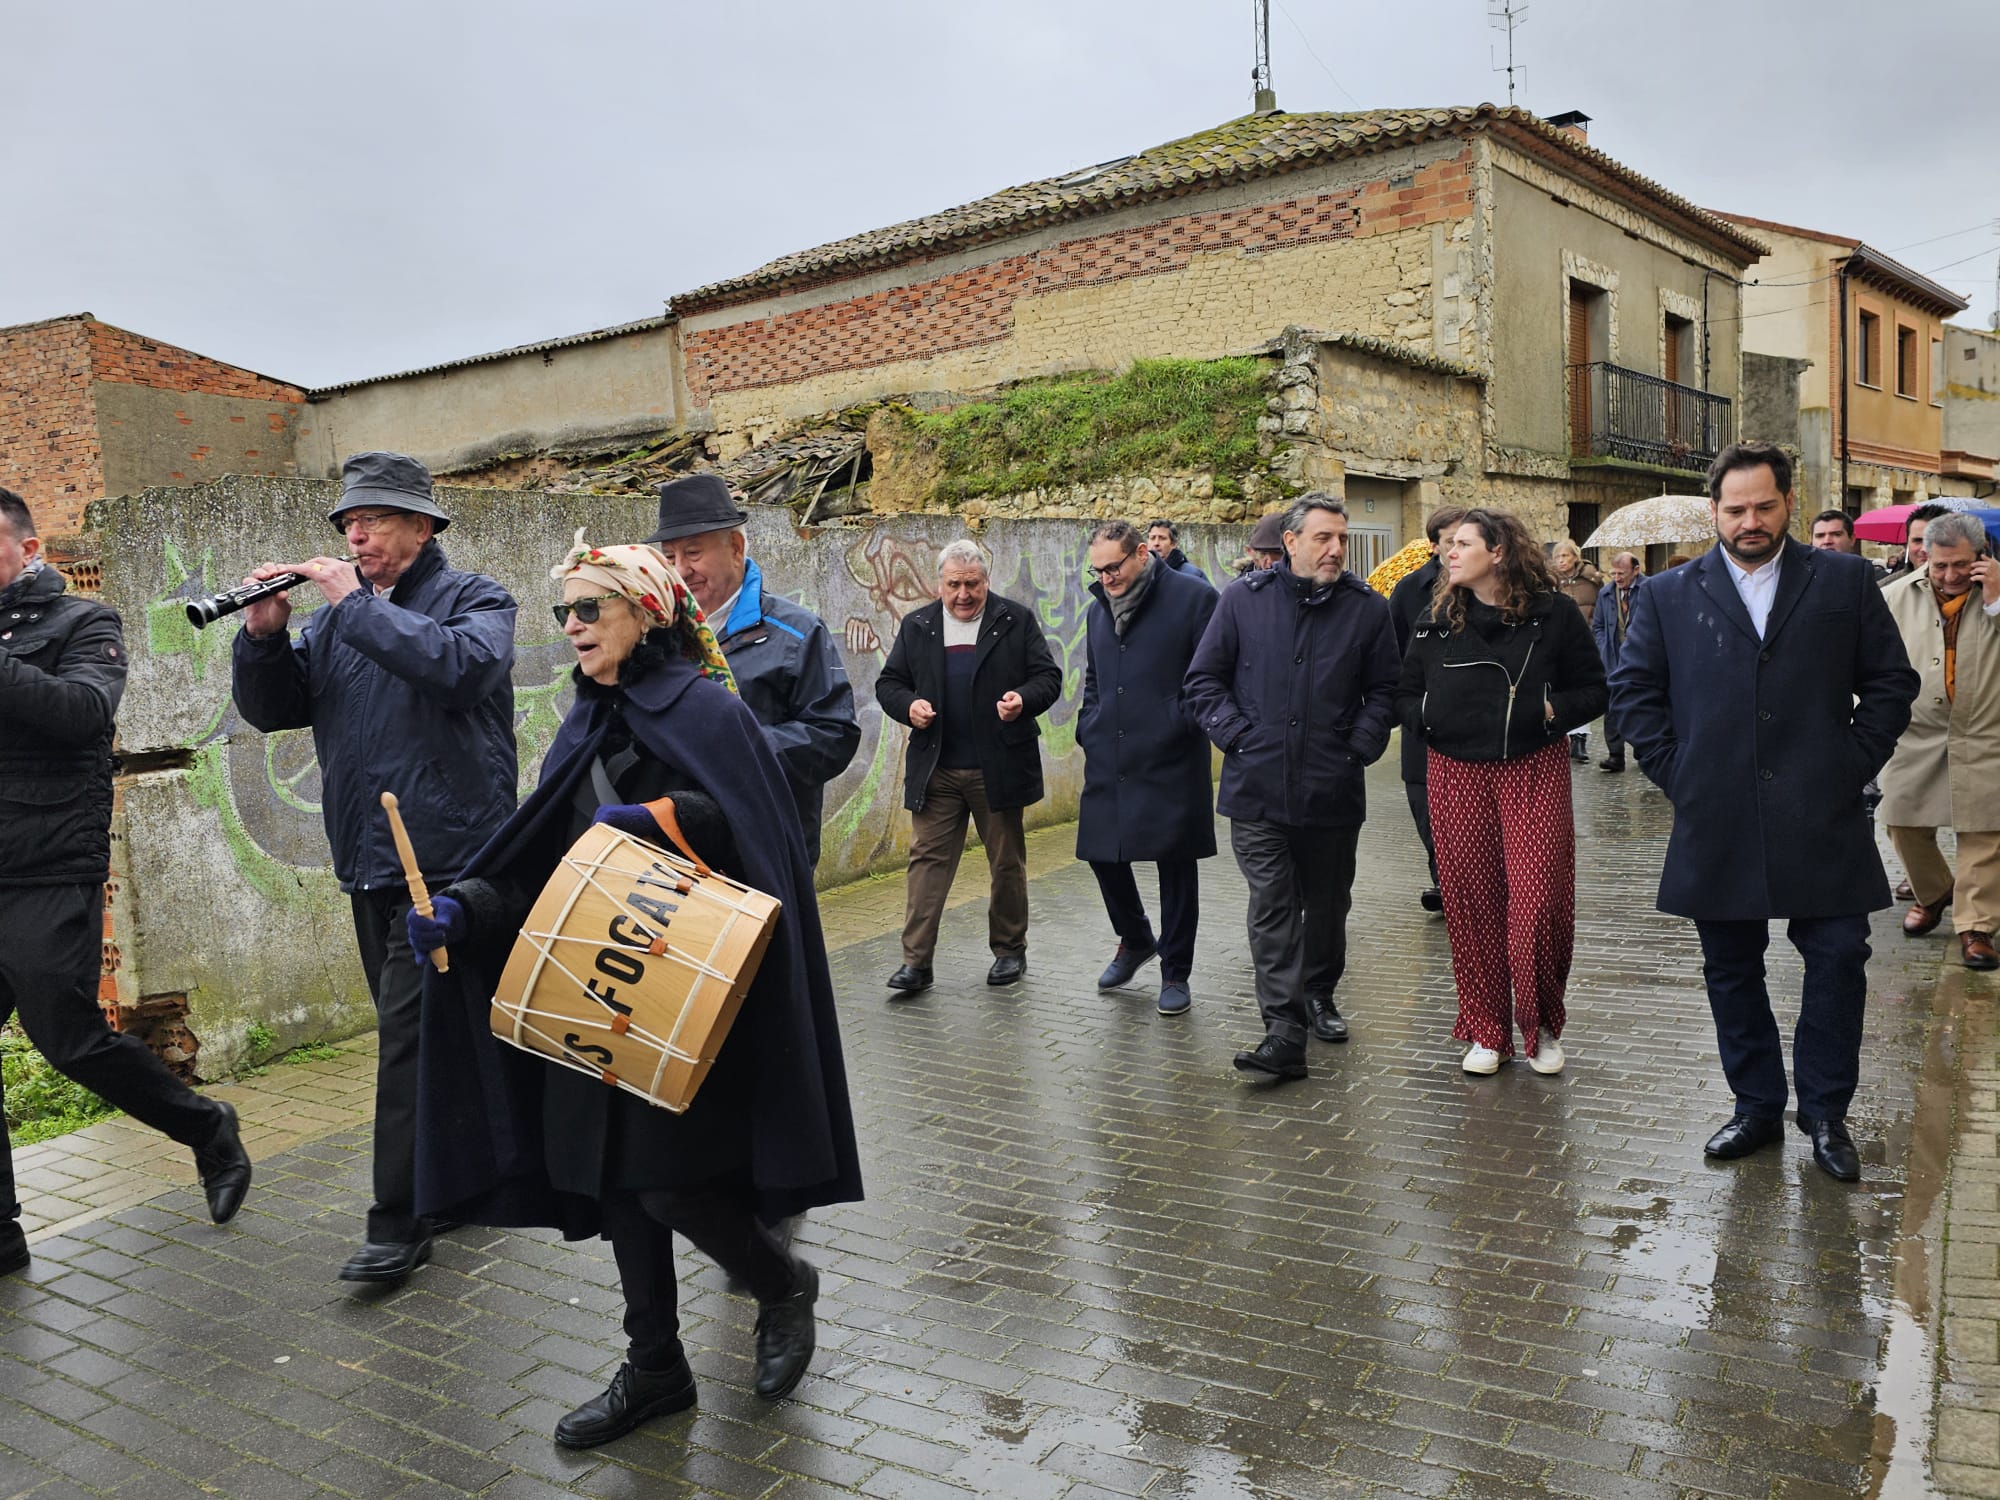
(407, 693)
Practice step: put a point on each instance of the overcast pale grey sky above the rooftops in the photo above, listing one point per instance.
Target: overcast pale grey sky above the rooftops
(355, 187)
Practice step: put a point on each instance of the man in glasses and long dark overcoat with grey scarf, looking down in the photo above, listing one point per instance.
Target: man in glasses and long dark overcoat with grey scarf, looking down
(1147, 787)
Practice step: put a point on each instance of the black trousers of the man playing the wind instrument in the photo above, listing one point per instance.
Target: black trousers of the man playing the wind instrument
(397, 985)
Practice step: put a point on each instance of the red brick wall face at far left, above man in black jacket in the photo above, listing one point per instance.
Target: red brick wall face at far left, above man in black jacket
(49, 429)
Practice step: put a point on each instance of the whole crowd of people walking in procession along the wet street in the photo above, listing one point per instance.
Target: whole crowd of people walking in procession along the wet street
(1765, 689)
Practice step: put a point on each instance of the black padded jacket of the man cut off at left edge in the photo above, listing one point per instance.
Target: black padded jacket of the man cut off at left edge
(63, 673)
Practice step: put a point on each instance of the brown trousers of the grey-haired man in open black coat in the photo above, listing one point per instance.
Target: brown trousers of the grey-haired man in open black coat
(937, 841)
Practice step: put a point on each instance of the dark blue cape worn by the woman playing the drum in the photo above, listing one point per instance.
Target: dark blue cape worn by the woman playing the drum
(483, 1143)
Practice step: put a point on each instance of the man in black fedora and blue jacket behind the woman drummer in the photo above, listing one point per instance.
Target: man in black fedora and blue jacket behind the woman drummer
(781, 653)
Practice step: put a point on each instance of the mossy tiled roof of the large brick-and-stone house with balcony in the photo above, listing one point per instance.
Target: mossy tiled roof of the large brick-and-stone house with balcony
(1247, 149)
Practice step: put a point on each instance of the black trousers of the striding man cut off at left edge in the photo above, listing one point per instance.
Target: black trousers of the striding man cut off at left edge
(51, 957)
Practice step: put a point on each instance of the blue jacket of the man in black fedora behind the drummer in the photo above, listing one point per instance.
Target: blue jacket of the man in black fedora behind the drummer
(793, 681)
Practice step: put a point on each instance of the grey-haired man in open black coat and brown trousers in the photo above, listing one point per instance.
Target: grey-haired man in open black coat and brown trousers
(971, 675)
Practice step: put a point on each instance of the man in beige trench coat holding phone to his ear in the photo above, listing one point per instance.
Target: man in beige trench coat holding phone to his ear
(1943, 771)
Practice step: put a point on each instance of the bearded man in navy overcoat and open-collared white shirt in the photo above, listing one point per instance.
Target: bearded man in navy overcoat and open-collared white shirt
(1763, 687)
